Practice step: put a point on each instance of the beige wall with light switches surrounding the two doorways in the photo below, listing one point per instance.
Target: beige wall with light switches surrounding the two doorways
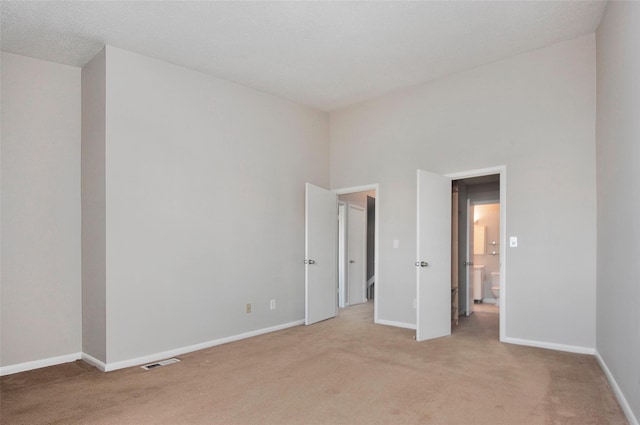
(534, 113)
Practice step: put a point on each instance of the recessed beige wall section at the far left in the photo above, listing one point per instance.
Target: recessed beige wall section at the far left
(40, 313)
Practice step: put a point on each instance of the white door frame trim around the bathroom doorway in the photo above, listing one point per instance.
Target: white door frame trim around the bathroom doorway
(502, 171)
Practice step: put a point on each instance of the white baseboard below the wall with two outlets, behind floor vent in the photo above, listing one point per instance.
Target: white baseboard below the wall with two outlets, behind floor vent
(108, 367)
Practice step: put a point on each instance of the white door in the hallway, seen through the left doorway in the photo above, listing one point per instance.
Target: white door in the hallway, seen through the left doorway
(357, 254)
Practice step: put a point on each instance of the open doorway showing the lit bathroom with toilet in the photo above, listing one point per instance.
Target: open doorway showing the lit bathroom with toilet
(476, 246)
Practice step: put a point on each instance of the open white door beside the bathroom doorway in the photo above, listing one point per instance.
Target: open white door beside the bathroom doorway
(433, 259)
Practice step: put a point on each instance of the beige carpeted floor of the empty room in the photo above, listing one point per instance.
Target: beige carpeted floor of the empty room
(342, 371)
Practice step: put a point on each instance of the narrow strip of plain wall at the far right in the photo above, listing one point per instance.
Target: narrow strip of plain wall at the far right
(618, 155)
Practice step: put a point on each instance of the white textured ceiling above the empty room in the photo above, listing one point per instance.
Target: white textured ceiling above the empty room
(324, 54)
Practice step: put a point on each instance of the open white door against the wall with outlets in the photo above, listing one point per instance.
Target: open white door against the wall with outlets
(321, 230)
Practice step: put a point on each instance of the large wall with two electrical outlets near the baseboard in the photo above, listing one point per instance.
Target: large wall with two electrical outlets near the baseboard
(203, 179)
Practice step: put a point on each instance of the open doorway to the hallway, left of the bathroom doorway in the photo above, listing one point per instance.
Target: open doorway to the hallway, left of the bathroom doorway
(357, 253)
